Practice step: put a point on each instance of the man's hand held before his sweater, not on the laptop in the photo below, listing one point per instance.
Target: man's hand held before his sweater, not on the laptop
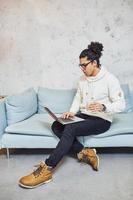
(95, 107)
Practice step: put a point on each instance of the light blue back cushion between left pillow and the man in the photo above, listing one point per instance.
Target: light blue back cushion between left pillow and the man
(57, 100)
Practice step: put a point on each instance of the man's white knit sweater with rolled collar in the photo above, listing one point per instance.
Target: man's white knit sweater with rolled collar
(103, 88)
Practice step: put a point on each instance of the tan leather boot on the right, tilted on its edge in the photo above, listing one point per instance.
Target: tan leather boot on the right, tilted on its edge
(89, 156)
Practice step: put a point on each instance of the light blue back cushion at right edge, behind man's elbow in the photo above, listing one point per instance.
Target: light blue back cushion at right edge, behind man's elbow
(128, 100)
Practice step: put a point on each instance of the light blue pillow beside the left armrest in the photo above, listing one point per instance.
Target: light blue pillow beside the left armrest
(21, 106)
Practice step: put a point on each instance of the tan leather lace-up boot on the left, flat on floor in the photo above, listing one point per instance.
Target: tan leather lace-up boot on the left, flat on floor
(38, 177)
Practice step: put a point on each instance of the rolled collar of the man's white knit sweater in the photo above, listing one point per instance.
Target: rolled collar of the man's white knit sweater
(99, 76)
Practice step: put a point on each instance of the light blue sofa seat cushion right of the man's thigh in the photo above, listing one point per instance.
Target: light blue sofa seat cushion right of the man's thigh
(122, 124)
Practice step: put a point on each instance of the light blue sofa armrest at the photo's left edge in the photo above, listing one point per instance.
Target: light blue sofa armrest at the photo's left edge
(3, 121)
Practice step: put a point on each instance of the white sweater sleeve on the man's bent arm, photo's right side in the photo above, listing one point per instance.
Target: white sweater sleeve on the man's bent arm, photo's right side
(116, 96)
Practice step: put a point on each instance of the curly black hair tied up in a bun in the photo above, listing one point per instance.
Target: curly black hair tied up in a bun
(93, 52)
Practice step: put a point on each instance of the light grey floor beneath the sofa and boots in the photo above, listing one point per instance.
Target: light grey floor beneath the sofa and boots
(72, 180)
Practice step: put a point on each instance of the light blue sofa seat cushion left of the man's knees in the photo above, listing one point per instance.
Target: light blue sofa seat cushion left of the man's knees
(38, 124)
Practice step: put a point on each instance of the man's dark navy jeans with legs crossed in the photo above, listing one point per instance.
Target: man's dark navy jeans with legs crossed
(67, 133)
